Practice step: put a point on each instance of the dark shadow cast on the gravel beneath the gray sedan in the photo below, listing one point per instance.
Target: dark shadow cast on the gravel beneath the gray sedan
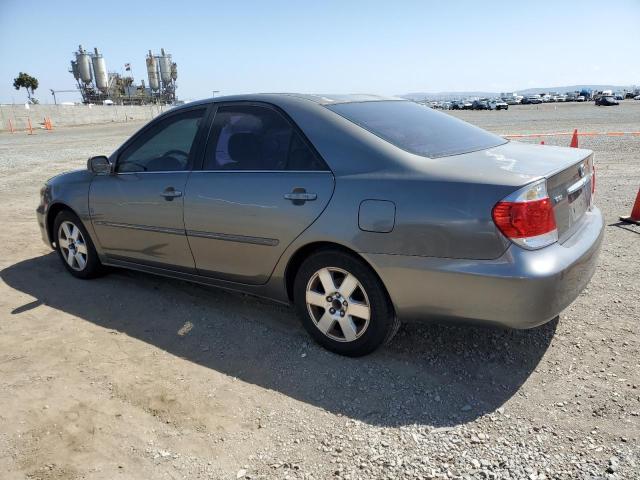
(438, 375)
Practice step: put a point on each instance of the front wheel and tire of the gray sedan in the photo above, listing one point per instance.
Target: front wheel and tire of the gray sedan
(75, 247)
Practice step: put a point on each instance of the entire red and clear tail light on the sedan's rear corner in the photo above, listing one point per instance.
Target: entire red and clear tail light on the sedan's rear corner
(526, 217)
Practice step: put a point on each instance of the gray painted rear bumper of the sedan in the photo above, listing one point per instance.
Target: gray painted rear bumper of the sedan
(520, 289)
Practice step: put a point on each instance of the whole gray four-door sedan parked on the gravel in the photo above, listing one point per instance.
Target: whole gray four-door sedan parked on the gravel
(360, 210)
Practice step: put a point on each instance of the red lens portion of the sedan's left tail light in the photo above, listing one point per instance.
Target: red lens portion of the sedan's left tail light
(524, 219)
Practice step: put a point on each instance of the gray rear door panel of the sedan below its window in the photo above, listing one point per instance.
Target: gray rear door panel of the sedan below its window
(239, 223)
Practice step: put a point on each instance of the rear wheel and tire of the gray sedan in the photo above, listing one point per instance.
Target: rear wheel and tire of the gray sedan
(343, 304)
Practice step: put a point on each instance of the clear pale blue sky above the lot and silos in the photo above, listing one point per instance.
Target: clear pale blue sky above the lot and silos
(381, 47)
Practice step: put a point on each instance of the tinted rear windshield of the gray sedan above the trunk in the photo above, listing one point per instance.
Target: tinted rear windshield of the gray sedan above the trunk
(416, 128)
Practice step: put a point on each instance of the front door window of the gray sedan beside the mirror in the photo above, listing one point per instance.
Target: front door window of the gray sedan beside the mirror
(166, 147)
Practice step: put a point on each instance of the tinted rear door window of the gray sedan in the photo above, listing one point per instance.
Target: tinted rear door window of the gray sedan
(250, 137)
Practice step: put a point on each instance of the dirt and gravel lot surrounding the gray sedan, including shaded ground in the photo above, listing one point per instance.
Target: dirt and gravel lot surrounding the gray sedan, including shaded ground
(135, 376)
